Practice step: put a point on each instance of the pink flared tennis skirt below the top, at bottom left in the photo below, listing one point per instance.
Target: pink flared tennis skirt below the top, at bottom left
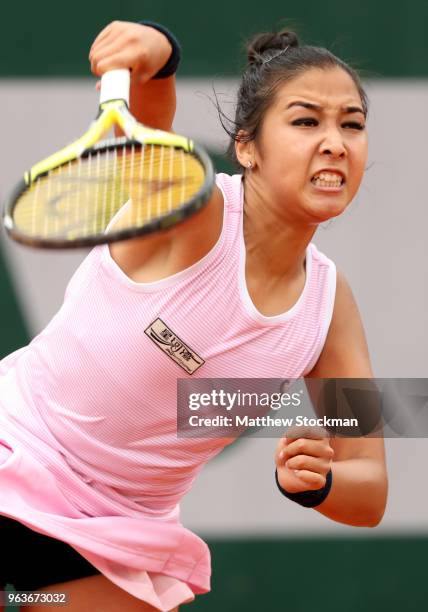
(155, 560)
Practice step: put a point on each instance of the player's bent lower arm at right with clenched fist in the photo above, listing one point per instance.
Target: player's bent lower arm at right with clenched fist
(359, 480)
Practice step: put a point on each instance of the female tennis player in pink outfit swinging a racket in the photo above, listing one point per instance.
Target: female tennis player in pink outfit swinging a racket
(91, 469)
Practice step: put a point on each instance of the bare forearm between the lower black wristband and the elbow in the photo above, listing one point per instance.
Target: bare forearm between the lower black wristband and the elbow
(358, 493)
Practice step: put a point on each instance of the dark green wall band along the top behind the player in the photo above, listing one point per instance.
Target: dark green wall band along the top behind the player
(387, 38)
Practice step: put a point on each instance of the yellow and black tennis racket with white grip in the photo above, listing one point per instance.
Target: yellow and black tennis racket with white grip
(69, 199)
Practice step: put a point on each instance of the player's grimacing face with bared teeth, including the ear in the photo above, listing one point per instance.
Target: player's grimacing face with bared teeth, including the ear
(309, 157)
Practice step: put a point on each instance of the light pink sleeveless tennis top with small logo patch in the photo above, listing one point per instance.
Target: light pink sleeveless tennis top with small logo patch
(93, 396)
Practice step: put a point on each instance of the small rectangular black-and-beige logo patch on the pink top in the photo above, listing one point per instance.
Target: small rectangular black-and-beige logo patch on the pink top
(175, 348)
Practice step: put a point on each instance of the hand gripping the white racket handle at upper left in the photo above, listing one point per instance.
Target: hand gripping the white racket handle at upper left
(123, 44)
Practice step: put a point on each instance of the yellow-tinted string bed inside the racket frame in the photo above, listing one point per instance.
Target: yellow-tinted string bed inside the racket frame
(82, 197)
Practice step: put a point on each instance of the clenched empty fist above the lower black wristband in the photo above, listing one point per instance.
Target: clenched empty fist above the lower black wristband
(303, 462)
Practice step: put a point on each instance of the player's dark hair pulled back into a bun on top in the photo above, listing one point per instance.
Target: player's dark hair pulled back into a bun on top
(274, 58)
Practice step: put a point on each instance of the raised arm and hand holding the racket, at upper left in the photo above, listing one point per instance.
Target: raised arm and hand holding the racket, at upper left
(145, 51)
